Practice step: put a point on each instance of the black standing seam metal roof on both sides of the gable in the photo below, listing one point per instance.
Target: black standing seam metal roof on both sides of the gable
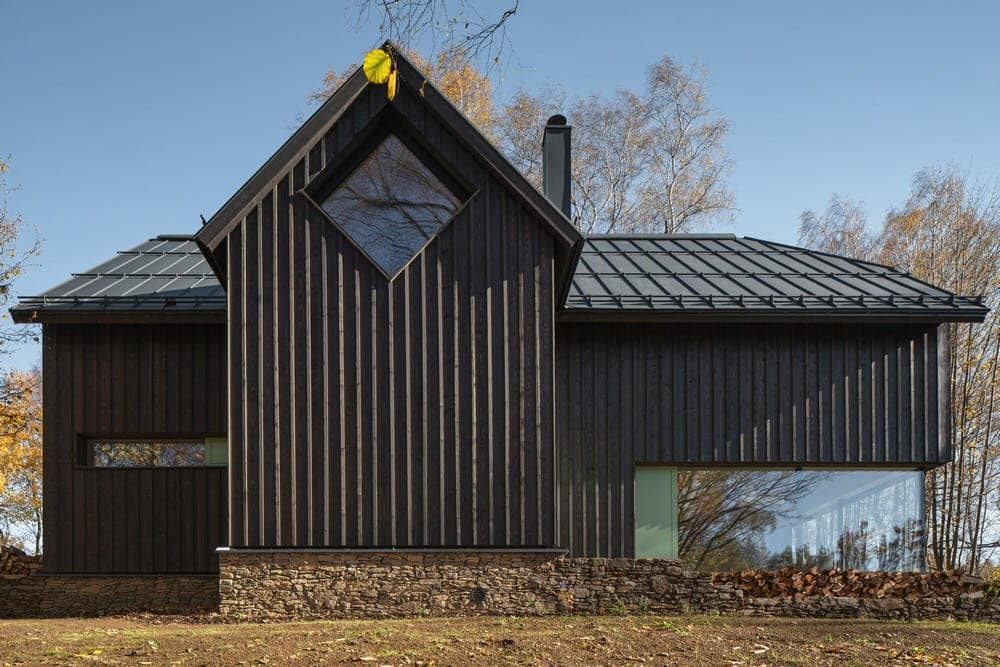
(711, 273)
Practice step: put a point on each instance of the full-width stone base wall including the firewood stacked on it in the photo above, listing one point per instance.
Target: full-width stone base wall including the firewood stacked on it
(262, 585)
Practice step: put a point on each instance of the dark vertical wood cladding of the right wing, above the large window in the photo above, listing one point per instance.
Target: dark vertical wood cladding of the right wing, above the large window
(711, 395)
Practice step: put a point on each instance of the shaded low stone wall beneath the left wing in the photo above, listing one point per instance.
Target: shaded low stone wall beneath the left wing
(53, 595)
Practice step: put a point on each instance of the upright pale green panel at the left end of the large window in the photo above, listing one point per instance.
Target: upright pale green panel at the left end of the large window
(655, 512)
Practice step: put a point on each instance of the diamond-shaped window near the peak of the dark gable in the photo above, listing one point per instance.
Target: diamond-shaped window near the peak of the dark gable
(391, 205)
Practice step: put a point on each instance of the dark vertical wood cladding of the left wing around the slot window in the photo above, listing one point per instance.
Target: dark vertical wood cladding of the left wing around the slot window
(132, 380)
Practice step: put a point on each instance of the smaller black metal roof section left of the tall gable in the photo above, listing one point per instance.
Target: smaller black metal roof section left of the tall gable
(168, 273)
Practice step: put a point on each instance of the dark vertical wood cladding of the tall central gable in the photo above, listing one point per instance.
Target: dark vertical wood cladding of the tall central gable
(374, 413)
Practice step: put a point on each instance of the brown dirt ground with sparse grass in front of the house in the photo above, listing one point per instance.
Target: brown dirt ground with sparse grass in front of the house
(582, 640)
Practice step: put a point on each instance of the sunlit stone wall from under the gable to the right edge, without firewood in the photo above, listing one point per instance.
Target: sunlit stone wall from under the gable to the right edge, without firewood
(261, 585)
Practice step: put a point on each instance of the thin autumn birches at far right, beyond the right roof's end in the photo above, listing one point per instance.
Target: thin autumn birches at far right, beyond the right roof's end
(947, 233)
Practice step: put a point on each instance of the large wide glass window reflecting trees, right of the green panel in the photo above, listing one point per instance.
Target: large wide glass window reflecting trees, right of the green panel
(731, 520)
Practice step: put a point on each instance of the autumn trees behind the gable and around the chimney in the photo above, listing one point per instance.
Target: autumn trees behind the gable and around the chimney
(651, 160)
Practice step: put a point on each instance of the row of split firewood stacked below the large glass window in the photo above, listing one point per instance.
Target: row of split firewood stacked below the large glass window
(795, 584)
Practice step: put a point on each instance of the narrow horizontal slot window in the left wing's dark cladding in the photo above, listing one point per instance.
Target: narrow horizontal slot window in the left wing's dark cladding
(155, 453)
